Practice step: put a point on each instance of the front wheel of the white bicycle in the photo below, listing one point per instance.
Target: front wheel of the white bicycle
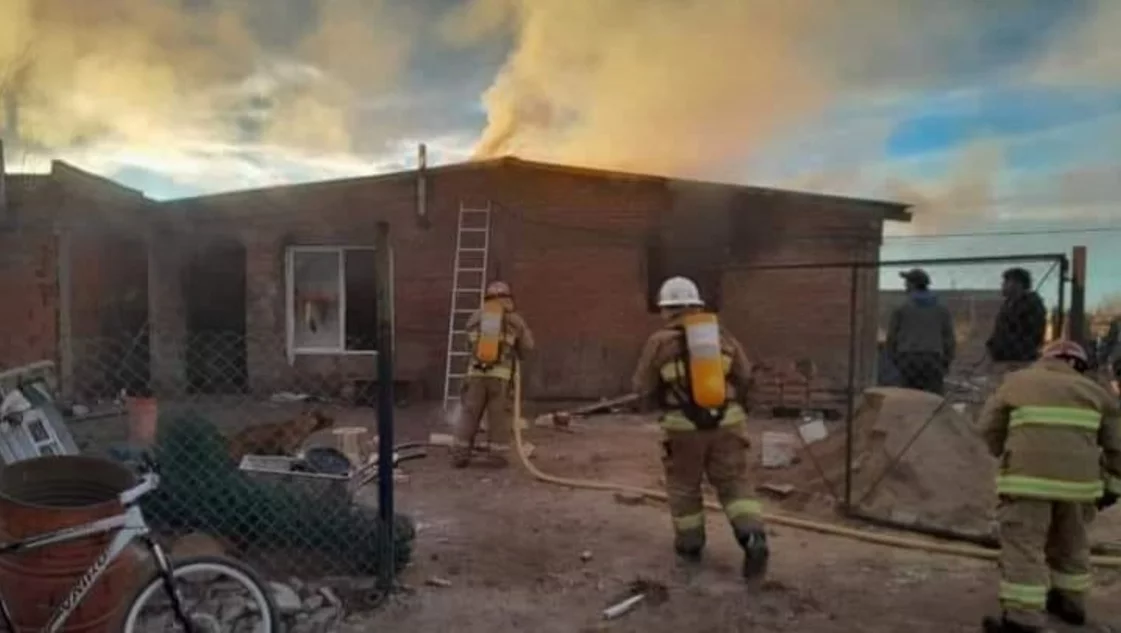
(214, 572)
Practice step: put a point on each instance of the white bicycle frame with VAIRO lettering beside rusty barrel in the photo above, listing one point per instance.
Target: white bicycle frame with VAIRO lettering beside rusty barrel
(129, 527)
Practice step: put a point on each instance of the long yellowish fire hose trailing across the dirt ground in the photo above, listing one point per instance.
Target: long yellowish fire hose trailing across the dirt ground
(807, 525)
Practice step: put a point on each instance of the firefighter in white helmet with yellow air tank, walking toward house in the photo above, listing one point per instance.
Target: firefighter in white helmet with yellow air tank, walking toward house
(698, 376)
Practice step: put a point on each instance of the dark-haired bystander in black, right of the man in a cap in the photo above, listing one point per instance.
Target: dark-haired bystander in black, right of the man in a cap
(1018, 333)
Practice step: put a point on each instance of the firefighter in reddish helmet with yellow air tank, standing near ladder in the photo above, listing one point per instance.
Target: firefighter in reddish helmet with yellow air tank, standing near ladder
(497, 337)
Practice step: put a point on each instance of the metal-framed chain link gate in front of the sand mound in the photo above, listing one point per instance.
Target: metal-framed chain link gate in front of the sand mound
(948, 332)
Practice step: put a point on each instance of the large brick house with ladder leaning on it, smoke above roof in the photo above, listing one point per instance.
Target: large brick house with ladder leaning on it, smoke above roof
(585, 250)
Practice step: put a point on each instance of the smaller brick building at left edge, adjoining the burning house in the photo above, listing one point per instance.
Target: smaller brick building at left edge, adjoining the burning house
(73, 277)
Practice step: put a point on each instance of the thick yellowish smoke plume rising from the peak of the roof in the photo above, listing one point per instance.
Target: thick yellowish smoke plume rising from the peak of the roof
(685, 87)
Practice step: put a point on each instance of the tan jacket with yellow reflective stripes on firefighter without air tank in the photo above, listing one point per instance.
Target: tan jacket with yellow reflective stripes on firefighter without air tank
(1057, 434)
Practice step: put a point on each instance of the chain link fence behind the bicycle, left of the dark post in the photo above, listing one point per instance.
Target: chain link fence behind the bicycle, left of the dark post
(270, 458)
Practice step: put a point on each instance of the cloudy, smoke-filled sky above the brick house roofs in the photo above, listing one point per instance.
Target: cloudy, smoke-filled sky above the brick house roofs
(997, 119)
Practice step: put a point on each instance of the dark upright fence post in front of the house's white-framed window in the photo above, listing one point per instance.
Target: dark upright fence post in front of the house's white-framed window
(388, 557)
